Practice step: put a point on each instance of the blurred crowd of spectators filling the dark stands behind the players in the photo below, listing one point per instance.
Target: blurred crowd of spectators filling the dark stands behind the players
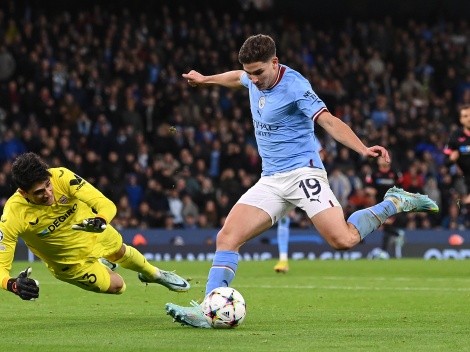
(99, 91)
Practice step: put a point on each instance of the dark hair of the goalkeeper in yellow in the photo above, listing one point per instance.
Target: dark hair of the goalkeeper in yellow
(28, 169)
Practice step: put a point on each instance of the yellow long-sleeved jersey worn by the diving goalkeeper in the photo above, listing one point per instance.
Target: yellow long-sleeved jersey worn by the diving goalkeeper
(47, 230)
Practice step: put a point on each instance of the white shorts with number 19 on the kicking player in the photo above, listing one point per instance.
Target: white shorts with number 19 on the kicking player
(306, 188)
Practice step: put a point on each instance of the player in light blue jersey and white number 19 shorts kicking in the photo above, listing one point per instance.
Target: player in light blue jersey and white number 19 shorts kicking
(284, 110)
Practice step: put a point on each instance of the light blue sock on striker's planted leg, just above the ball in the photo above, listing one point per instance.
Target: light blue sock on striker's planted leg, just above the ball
(224, 267)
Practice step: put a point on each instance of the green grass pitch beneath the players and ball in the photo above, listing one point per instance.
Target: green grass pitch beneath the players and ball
(364, 305)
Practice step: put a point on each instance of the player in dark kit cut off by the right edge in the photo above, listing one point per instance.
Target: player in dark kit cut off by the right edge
(457, 151)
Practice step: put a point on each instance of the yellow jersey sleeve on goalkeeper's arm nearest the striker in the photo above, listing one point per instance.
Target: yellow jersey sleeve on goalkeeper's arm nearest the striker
(78, 187)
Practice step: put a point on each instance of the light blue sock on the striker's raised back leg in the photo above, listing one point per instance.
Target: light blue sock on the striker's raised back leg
(370, 219)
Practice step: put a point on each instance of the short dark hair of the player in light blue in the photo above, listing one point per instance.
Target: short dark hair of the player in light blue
(257, 48)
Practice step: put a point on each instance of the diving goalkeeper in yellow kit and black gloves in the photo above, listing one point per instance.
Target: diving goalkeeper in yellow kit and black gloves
(64, 221)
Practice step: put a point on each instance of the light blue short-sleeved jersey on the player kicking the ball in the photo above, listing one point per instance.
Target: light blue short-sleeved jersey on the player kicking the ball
(283, 118)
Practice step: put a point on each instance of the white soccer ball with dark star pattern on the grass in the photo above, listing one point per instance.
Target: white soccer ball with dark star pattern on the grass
(224, 308)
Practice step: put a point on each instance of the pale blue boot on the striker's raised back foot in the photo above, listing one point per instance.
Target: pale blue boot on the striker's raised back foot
(410, 202)
